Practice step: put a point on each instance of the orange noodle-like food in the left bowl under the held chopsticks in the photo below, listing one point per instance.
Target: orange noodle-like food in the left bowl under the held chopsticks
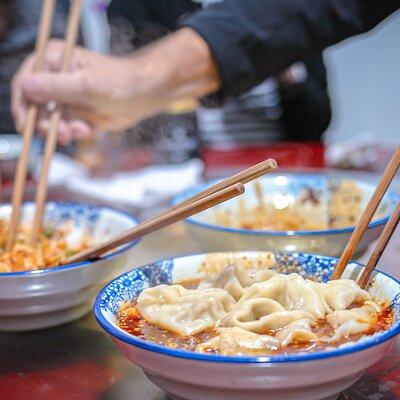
(52, 249)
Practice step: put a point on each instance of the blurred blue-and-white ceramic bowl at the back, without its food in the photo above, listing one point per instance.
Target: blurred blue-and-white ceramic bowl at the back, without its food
(285, 187)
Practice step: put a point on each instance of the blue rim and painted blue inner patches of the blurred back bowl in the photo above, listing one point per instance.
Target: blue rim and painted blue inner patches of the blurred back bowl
(391, 197)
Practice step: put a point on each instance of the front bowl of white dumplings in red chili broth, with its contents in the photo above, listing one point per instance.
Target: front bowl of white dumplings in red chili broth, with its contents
(250, 325)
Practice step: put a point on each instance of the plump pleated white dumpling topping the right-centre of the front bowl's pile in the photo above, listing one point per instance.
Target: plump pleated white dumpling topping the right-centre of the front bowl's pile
(291, 291)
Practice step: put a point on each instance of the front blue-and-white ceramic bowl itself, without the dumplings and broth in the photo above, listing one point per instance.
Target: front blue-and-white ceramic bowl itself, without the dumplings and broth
(195, 376)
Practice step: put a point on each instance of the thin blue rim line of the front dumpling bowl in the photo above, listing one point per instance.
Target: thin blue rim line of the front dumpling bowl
(349, 348)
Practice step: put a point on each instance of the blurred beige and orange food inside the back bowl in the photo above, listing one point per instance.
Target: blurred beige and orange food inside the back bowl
(308, 211)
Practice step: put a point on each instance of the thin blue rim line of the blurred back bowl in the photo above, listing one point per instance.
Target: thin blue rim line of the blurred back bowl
(391, 196)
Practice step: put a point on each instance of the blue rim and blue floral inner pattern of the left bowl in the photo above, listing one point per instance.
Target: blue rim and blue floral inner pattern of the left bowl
(64, 210)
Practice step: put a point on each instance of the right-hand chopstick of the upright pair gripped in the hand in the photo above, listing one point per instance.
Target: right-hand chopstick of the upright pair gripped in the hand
(55, 117)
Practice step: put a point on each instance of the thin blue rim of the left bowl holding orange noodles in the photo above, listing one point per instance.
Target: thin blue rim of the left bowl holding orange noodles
(113, 254)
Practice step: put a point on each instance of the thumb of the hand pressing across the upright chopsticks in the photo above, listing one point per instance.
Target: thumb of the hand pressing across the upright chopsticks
(65, 88)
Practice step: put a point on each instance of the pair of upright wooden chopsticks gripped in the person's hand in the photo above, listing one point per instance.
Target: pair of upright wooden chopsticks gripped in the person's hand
(46, 19)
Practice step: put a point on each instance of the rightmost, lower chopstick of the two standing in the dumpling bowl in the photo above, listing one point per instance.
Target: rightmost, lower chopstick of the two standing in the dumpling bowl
(386, 234)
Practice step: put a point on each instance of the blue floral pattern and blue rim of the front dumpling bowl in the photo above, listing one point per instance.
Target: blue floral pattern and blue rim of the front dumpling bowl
(129, 285)
